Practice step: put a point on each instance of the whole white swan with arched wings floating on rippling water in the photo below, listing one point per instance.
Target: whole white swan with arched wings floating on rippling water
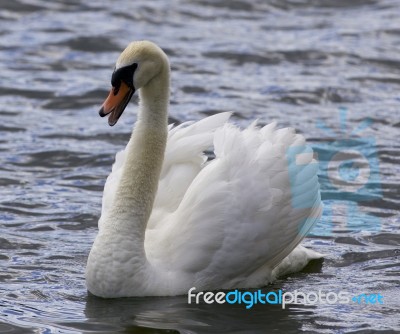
(172, 219)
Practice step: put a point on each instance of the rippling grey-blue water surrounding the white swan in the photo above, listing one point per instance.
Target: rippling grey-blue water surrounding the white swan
(298, 62)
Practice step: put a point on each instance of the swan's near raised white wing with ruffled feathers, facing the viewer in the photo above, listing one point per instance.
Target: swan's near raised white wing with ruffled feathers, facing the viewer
(245, 211)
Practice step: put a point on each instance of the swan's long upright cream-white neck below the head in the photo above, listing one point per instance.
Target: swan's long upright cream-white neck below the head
(137, 188)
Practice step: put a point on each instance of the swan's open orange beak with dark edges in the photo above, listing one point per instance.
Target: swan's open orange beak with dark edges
(116, 103)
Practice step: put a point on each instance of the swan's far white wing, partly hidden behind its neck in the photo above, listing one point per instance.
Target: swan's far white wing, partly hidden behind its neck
(183, 159)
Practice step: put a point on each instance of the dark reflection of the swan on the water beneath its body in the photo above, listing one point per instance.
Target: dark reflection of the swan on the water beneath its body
(174, 313)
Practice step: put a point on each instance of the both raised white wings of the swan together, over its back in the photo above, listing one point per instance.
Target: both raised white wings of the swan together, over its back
(228, 222)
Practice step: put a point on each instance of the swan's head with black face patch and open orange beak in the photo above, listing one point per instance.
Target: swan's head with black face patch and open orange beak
(137, 65)
